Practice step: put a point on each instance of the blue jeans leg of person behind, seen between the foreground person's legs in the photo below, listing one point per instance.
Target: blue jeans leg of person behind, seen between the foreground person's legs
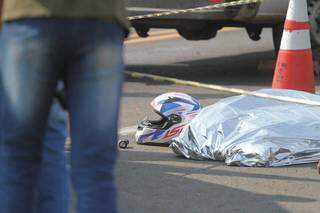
(52, 192)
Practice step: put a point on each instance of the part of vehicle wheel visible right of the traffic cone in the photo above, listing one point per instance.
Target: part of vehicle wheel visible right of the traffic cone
(314, 19)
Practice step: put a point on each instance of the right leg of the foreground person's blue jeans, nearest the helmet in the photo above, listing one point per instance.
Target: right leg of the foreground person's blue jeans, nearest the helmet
(93, 94)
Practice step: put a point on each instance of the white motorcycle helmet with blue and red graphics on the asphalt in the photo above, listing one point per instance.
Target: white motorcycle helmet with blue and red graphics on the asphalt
(176, 110)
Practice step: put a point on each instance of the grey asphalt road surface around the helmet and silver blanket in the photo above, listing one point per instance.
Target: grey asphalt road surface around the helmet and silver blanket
(153, 179)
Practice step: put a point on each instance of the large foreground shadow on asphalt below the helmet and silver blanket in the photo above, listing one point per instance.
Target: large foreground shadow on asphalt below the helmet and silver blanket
(148, 182)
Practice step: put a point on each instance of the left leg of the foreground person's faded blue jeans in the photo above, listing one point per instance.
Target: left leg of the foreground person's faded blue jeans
(28, 78)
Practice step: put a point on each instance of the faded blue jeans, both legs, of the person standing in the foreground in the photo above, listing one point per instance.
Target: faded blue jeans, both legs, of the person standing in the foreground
(87, 55)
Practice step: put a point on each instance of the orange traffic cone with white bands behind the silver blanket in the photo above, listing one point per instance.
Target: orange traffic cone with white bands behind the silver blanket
(294, 67)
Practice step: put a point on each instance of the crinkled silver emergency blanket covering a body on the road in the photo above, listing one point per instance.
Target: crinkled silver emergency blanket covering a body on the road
(250, 131)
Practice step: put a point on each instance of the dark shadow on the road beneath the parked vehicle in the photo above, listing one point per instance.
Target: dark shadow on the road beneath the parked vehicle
(224, 70)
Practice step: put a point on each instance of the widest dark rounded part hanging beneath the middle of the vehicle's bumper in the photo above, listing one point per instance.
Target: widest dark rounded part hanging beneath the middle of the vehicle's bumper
(194, 34)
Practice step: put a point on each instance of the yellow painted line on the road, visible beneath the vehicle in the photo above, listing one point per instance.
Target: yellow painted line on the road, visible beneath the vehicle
(164, 35)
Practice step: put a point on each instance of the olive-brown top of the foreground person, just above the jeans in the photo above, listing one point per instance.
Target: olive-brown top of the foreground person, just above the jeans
(17, 9)
